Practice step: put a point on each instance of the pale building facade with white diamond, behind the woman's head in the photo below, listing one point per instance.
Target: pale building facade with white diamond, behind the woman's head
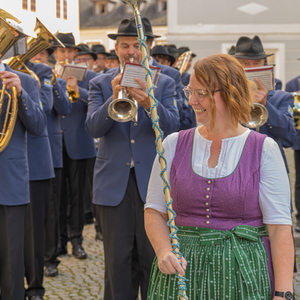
(208, 27)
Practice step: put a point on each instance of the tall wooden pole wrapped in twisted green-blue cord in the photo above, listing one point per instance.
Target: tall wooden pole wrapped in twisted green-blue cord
(135, 4)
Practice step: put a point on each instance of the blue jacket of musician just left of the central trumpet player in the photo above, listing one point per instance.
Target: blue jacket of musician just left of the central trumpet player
(79, 144)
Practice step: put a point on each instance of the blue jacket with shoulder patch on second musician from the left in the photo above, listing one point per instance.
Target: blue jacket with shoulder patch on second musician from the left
(39, 151)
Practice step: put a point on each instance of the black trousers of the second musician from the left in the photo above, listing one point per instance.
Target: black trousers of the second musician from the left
(34, 238)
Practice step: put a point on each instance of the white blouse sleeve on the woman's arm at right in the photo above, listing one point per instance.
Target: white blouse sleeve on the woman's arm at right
(274, 188)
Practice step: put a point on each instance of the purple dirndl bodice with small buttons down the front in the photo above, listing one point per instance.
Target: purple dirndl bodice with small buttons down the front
(217, 203)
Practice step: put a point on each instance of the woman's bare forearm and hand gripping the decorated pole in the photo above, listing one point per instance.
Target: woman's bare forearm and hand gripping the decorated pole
(159, 235)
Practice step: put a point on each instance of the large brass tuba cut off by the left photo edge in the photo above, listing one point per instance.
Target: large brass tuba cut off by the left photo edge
(9, 109)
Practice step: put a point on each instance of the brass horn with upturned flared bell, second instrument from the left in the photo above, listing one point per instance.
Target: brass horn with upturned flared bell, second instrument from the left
(44, 40)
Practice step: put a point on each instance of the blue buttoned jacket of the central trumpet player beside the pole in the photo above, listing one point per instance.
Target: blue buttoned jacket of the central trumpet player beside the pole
(121, 141)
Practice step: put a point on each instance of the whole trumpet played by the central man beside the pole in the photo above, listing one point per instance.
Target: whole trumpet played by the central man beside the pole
(125, 108)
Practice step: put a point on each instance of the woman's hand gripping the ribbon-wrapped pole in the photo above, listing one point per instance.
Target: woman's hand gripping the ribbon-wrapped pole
(169, 264)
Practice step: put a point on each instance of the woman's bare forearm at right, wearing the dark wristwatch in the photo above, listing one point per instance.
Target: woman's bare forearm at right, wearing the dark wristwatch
(282, 251)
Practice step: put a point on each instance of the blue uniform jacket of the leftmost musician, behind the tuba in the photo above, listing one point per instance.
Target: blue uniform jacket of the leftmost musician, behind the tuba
(14, 172)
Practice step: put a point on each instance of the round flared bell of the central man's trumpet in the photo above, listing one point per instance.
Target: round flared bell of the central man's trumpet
(122, 110)
